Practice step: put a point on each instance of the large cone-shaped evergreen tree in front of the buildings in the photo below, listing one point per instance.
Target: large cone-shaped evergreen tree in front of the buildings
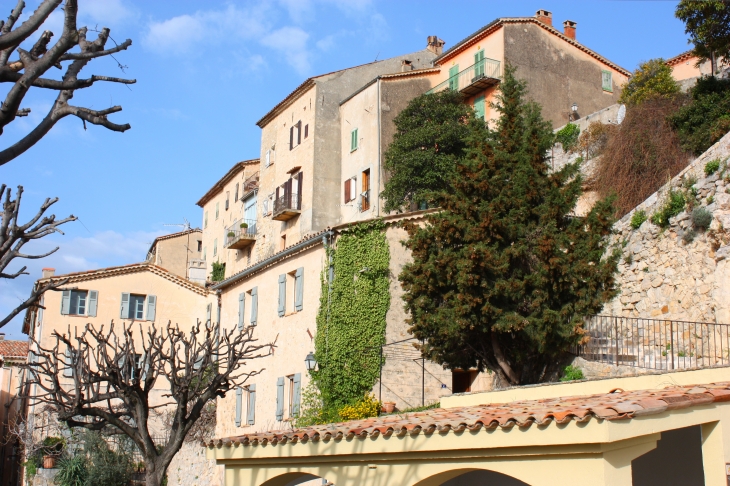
(502, 277)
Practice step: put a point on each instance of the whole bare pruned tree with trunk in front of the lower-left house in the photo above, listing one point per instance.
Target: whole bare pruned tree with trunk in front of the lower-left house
(112, 373)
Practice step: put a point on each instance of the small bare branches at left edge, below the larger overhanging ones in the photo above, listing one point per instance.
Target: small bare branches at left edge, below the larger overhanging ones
(14, 235)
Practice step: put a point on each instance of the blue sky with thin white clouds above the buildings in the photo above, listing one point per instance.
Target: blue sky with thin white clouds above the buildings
(207, 71)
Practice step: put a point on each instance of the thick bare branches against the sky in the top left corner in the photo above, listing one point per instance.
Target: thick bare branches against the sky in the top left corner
(27, 70)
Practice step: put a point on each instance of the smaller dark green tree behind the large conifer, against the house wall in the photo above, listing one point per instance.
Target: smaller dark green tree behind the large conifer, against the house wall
(429, 137)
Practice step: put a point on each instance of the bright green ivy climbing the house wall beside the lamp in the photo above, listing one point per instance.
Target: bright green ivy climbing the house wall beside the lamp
(351, 319)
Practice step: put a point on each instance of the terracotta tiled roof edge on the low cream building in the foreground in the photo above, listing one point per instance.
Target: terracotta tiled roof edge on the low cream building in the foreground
(616, 405)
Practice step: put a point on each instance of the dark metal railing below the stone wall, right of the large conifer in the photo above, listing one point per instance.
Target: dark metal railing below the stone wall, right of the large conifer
(654, 343)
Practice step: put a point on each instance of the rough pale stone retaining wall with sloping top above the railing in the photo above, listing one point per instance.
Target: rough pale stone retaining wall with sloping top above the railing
(667, 274)
